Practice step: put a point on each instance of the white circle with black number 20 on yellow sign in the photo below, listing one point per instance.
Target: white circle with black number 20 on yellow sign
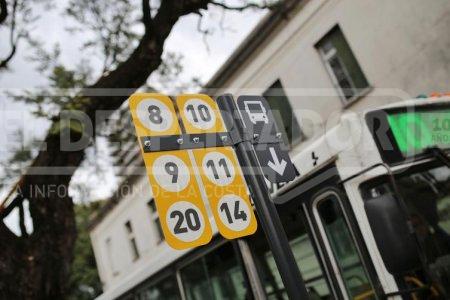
(185, 221)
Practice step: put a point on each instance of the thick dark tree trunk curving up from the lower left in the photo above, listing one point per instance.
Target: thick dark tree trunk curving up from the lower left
(37, 266)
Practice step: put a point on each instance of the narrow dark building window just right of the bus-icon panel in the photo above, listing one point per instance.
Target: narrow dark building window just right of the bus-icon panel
(283, 113)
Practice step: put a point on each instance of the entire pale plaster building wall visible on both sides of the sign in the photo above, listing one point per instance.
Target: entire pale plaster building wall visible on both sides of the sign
(401, 46)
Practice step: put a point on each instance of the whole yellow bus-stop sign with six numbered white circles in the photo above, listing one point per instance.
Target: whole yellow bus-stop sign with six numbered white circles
(172, 173)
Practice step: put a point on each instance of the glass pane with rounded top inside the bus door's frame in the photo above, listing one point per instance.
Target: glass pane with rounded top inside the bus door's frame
(343, 247)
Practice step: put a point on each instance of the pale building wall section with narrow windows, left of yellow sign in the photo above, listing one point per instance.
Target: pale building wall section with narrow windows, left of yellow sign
(134, 208)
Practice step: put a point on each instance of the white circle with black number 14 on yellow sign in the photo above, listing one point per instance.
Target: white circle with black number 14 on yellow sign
(234, 212)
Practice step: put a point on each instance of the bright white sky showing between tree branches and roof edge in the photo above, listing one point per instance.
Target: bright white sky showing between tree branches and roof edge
(199, 60)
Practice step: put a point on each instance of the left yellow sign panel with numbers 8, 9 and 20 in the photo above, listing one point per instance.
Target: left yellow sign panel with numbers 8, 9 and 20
(183, 215)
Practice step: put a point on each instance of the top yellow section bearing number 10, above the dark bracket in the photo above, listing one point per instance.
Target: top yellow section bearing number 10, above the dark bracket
(200, 114)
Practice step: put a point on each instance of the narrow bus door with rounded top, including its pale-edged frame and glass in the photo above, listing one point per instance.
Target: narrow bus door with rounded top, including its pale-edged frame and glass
(342, 244)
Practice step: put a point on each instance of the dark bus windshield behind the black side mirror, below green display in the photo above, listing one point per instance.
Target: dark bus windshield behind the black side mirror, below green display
(427, 196)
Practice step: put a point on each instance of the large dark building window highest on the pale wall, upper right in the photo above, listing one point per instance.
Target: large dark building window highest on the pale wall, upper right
(342, 65)
